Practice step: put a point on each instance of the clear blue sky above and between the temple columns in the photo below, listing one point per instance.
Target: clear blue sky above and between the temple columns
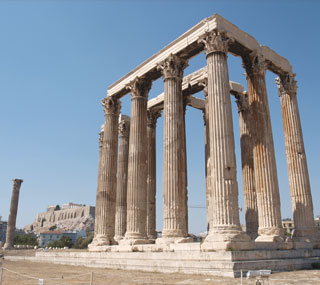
(57, 59)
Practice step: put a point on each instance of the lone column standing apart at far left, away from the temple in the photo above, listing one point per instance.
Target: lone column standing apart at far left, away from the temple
(11, 228)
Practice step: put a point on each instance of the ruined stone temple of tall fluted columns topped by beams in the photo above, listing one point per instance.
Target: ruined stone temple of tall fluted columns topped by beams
(125, 201)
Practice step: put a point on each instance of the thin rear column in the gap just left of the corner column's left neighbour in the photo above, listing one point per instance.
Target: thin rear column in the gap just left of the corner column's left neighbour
(152, 117)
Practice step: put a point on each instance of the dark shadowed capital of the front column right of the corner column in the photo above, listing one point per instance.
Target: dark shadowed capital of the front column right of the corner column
(255, 64)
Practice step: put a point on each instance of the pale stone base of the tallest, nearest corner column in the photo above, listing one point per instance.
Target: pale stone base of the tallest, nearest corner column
(225, 239)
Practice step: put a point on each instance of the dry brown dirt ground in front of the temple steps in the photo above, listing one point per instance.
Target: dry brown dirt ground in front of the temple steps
(26, 272)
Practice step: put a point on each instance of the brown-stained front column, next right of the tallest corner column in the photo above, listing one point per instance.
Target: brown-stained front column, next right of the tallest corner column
(267, 188)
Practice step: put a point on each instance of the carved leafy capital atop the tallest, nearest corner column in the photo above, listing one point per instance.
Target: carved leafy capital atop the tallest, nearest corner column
(215, 41)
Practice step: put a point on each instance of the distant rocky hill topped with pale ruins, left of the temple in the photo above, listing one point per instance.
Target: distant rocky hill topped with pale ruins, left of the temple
(69, 217)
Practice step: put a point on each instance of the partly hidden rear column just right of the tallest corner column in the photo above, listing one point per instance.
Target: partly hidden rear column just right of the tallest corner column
(249, 187)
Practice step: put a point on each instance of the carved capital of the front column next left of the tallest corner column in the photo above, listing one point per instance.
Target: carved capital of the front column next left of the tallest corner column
(172, 67)
